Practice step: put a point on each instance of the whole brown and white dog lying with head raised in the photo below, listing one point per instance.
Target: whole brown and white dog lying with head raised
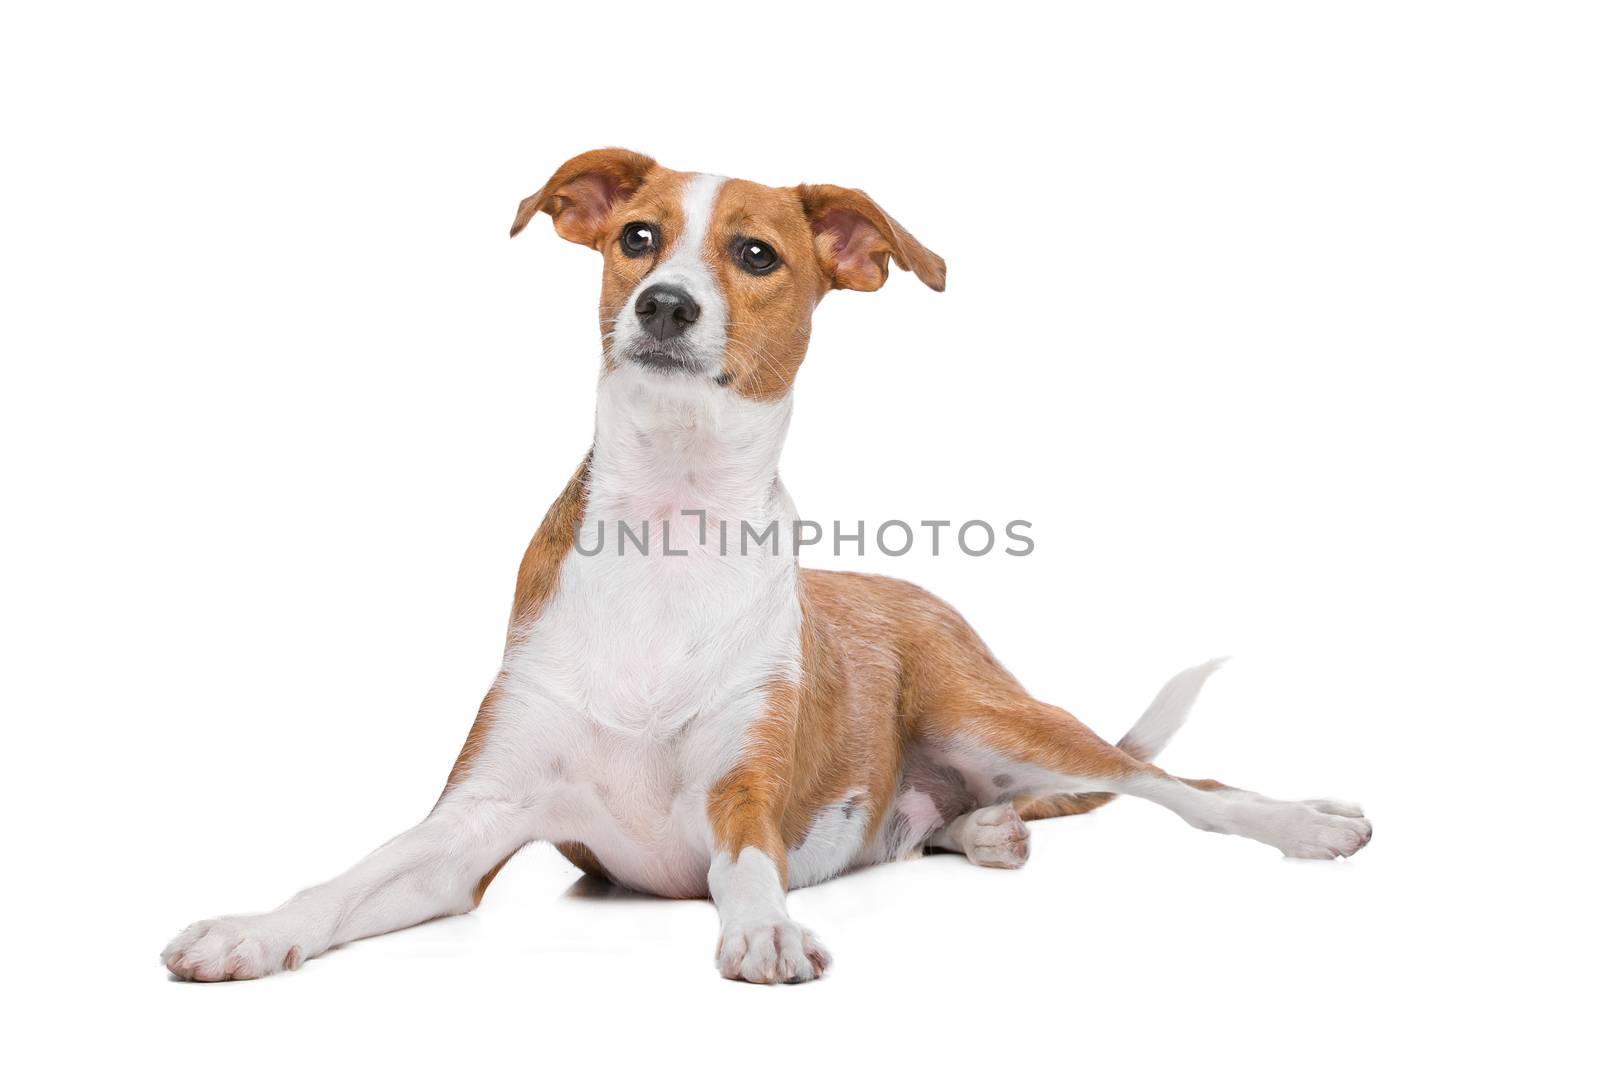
(689, 721)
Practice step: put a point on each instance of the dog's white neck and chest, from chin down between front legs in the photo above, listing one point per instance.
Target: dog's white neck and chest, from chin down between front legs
(633, 693)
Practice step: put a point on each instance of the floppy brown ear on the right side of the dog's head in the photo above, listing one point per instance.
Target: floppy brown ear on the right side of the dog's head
(857, 239)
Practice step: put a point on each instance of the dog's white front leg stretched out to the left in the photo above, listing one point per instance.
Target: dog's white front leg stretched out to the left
(433, 869)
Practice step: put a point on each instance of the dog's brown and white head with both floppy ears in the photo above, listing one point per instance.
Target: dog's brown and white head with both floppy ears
(718, 278)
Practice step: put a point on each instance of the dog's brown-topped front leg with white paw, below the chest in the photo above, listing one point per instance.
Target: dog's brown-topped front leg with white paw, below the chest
(750, 879)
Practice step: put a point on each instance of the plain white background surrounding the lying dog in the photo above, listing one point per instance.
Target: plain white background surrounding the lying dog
(1278, 321)
